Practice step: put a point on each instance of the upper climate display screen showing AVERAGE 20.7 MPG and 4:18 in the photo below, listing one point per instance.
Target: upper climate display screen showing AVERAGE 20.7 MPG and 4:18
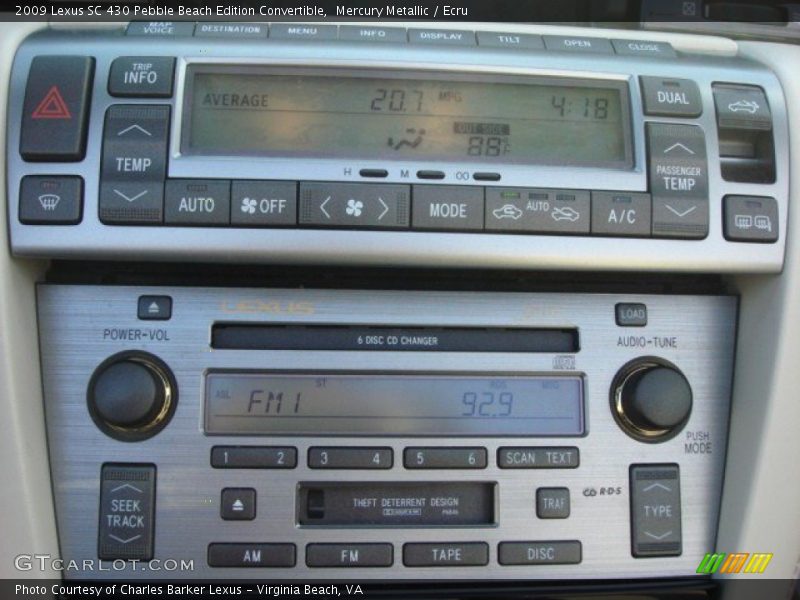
(347, 114)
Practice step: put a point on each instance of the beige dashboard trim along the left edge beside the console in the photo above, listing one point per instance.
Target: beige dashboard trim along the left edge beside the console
(27, 519)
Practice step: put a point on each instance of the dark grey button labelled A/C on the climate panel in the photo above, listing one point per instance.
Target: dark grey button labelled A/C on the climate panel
(621, 214)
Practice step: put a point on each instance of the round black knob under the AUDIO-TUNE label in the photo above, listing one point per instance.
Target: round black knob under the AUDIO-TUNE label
(651, 399)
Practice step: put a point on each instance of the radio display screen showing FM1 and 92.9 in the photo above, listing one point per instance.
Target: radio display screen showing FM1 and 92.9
(402, 405)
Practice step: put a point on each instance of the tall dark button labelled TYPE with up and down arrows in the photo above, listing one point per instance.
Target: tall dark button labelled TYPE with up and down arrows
(655, 510)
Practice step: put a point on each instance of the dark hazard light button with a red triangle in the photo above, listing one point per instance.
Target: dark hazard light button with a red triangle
(56, 111)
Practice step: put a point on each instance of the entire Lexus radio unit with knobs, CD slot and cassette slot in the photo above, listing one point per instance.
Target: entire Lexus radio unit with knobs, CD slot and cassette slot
(371, 434)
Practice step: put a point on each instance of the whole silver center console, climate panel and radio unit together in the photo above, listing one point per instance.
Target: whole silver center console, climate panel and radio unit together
(391, 434)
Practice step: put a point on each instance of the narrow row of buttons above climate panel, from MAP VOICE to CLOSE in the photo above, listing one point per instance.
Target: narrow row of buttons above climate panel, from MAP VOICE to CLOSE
(309, 32)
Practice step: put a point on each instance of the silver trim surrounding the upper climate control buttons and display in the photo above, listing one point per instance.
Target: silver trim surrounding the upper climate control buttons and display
(92, 239)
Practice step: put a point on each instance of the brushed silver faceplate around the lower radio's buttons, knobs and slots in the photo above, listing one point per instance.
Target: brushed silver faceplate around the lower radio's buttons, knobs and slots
(77, 325)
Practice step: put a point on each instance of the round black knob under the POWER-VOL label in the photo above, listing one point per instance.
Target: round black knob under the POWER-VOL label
(132, 396)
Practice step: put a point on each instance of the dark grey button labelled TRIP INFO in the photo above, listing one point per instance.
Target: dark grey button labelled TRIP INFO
(141, 76)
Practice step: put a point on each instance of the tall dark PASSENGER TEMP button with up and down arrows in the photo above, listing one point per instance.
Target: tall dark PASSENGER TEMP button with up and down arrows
(678, 180)
